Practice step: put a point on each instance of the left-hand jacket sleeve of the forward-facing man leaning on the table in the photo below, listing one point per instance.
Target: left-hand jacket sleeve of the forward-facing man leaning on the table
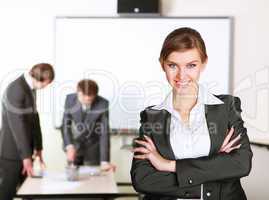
(67, 123)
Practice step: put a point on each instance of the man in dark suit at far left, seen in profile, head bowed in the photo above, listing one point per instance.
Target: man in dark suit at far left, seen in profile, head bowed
(20, 136)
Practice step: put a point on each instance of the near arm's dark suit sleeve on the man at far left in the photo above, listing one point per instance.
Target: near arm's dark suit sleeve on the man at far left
(16, 115)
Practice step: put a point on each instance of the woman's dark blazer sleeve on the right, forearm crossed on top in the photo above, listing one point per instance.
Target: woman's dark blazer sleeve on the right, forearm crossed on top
(220, 166)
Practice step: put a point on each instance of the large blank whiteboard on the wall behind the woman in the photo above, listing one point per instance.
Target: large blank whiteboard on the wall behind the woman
(121, 55)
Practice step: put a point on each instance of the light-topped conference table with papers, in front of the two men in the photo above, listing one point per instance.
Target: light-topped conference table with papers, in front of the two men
(91, 183)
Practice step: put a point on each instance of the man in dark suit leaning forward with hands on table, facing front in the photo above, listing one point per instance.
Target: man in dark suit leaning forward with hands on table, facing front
(85, 128)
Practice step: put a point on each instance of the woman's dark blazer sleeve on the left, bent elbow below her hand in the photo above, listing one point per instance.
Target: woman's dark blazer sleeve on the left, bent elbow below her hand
(146, 179)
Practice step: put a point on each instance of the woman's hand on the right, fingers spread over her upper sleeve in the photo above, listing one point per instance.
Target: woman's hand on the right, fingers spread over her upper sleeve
(228, 145)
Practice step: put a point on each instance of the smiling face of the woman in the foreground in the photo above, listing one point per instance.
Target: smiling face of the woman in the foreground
(183, 68)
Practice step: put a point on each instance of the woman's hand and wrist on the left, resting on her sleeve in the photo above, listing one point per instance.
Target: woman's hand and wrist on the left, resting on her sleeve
(149, 152)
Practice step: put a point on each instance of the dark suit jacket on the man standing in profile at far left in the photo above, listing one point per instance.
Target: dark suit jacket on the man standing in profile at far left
(21, 132)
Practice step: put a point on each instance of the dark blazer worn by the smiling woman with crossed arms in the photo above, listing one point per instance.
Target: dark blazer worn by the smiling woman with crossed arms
(220, 173)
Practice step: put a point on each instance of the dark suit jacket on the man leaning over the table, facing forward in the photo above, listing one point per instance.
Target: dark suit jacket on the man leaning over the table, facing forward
(89, 131)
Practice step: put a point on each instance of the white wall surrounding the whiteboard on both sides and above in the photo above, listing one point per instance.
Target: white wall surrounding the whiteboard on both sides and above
(27, 37)
